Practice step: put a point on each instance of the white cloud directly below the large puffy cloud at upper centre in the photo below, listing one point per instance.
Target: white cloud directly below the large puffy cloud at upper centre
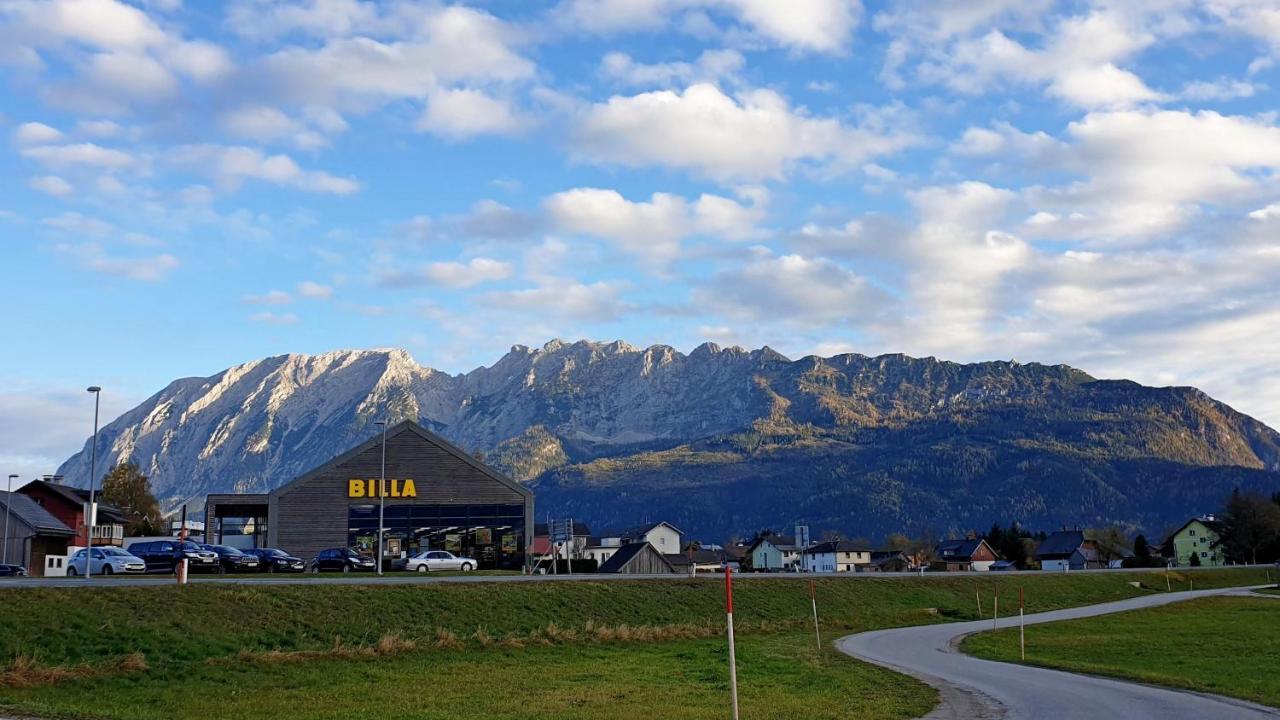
(650, 230)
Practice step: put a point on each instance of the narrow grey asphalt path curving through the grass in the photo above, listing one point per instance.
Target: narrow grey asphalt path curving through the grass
(984, 690)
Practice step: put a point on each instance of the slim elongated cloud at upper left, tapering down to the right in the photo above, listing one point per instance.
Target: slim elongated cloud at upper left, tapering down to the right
(231, 166)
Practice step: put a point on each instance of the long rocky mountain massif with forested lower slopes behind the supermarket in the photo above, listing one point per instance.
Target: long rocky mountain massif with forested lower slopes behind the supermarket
(725, 441)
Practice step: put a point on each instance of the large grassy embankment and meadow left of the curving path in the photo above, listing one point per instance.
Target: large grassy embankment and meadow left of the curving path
(577, 650)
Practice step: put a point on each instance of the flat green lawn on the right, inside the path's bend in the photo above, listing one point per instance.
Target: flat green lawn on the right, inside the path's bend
(1223, 645)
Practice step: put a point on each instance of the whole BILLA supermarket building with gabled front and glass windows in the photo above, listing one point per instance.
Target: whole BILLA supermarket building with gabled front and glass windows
(437, 498)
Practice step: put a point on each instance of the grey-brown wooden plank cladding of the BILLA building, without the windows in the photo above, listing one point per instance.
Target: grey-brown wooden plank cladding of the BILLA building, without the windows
(312, 513)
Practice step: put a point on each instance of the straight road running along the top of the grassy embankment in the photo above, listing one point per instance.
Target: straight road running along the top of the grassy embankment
(413, 578)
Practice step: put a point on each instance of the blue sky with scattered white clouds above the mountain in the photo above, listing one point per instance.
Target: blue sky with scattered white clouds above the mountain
(190, 186)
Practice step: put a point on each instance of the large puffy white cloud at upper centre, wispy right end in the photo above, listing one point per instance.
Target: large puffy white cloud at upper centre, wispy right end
(706, 131)
